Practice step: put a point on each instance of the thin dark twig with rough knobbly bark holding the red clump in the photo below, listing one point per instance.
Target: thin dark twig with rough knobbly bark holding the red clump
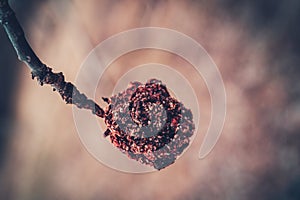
(69, 93)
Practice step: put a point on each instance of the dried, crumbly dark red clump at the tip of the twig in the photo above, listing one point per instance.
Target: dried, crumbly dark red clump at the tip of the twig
(147, 124)
